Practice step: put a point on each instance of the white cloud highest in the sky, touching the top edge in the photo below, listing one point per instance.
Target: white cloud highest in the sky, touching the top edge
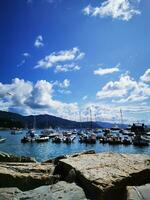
(117, 9)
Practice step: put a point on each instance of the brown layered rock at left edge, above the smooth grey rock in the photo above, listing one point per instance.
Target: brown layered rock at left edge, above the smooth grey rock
(26, 176)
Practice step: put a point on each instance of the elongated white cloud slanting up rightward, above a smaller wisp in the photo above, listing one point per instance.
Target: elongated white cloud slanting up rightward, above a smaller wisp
(60, 57)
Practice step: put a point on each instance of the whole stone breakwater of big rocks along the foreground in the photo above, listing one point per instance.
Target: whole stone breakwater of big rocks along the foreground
(101, 176)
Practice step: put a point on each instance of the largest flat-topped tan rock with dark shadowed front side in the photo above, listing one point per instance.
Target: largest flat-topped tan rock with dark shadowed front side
(106, 175)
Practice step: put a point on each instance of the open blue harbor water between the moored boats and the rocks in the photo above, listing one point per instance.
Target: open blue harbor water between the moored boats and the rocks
(47, 150)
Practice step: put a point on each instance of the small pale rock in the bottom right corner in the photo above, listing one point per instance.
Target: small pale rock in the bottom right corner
(138, 192)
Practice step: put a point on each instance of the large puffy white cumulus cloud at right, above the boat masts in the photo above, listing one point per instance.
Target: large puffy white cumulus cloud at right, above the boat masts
(124, 90)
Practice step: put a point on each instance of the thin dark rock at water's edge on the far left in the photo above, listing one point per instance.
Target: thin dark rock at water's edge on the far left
(5, 157)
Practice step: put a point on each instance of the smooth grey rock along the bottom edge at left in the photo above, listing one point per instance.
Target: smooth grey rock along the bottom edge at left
(60, 190)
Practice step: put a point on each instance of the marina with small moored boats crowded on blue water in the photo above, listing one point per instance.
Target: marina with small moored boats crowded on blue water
(49, 144)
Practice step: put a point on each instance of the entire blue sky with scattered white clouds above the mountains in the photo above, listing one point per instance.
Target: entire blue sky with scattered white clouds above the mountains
(65, 57)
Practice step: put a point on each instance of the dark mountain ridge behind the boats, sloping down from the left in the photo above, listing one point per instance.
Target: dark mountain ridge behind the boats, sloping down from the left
(9, 120)
